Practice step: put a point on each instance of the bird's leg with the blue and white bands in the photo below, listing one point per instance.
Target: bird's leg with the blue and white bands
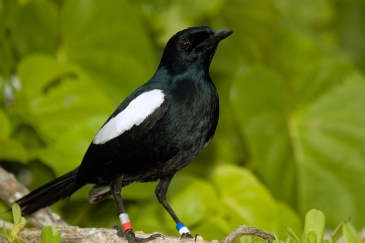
(161, 191)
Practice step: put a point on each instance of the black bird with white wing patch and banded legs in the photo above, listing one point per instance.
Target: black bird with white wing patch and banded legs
(155, 132)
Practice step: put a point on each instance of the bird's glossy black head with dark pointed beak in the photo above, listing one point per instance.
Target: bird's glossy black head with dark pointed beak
(192, 47)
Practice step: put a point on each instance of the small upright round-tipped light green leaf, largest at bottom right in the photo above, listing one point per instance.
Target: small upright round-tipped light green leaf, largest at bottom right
(314, 223)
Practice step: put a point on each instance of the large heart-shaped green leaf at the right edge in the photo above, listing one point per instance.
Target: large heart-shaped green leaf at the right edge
(309, 145)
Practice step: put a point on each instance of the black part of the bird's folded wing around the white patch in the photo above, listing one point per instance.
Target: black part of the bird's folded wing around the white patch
(131, 154)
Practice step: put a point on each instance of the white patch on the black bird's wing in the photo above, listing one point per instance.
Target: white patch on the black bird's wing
(134, 114)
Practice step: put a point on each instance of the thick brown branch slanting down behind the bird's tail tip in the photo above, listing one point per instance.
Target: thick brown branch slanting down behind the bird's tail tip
(12, 190)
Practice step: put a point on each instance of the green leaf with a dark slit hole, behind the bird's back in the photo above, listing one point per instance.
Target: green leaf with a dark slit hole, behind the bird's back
(56, 97)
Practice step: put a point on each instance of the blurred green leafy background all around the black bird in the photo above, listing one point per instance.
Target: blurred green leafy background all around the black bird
(291, 135)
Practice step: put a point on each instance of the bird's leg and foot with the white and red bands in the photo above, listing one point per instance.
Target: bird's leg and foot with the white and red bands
(116, 186)
